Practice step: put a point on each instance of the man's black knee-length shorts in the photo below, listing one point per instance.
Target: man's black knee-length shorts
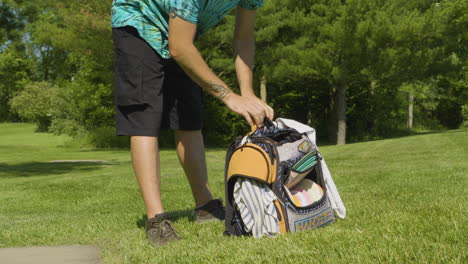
(151, 93)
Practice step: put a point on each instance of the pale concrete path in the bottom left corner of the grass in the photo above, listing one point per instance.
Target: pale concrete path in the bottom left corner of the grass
(50, 255)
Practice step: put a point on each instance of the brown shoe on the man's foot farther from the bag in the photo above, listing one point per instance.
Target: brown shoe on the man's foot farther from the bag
(159, 230)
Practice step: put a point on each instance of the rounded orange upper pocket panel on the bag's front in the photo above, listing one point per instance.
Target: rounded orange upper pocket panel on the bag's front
(251, 161)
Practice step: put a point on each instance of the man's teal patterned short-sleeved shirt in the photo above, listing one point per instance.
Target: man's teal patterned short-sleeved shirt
(150, 17)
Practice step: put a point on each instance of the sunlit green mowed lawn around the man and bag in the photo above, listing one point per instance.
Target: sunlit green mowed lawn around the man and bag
(406, 200)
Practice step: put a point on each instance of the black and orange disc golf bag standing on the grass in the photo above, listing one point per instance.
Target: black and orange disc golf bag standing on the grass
(274, 183)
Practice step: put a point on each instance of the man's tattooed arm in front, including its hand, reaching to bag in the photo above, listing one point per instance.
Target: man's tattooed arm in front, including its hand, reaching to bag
(184, 52)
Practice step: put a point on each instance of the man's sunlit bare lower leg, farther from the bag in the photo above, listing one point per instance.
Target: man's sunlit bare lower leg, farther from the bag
(145, 157)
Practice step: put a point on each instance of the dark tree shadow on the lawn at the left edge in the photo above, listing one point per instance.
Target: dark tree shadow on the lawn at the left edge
(31, 169)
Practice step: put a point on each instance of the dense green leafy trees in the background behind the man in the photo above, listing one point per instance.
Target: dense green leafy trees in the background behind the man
(308, 51)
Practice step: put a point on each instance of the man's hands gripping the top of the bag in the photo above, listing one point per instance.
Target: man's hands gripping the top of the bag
(251, 108)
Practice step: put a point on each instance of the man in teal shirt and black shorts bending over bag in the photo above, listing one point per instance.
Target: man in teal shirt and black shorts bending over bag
(158, 73)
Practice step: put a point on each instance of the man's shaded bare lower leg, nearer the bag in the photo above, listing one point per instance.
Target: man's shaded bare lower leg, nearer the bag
(191, 152)
